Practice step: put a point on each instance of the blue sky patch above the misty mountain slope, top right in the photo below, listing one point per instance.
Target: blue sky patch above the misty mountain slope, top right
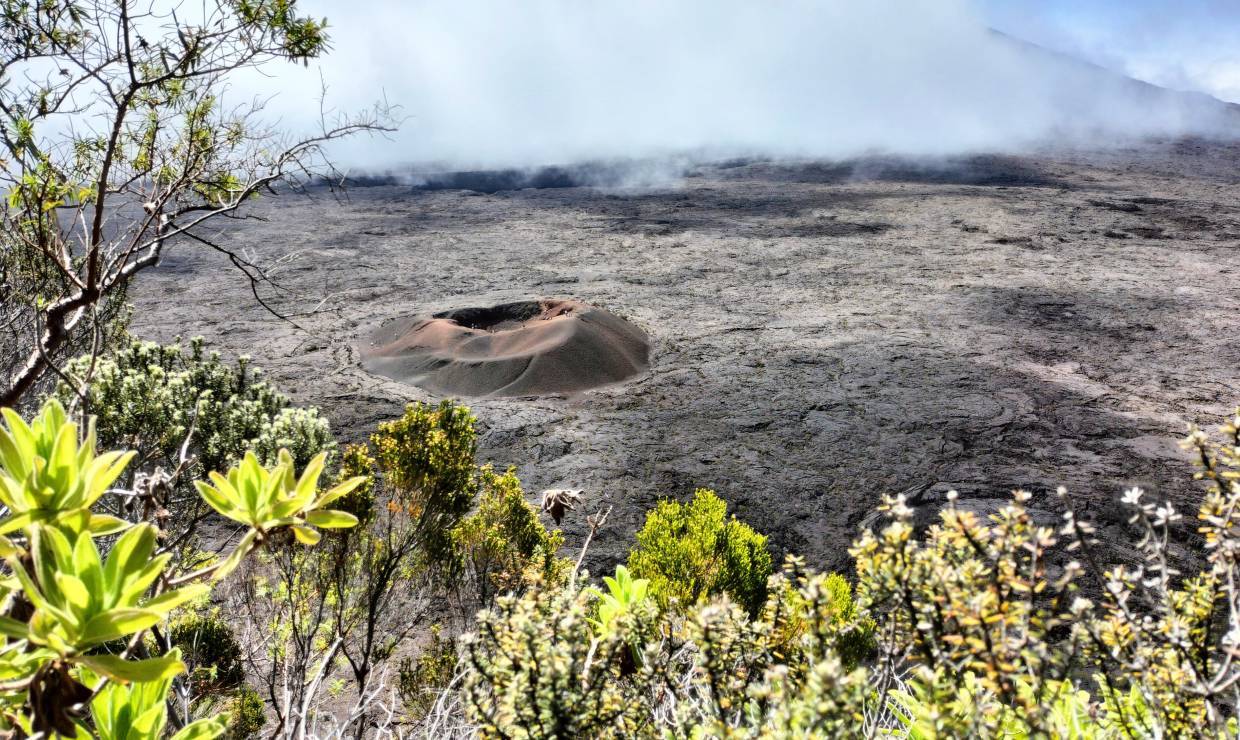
(1181, 44)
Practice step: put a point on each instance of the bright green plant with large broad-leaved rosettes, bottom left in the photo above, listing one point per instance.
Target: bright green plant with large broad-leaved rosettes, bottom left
(68, 597)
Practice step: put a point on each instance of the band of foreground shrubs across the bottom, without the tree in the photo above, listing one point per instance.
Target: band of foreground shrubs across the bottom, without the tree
(418, 593)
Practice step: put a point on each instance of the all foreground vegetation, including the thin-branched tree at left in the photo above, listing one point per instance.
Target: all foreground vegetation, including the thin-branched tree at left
(188, 555)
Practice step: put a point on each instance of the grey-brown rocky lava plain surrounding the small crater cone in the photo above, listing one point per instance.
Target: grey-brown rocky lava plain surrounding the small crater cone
(824, 333)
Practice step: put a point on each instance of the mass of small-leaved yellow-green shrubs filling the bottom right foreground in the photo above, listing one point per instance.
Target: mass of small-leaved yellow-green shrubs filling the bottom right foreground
(965, 630)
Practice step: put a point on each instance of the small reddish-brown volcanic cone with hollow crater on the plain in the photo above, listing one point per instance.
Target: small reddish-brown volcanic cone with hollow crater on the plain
(541, 348)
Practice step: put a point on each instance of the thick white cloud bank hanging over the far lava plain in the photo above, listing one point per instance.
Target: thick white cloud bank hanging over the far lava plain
(490, 84)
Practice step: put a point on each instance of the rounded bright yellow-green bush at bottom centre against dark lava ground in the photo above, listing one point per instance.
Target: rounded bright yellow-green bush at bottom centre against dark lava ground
(693, 552)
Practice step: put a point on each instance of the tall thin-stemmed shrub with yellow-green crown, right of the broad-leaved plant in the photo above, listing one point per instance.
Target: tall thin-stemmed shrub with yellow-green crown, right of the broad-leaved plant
(349, 608)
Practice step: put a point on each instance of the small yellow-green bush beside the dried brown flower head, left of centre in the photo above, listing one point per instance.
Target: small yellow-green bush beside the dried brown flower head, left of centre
(504, 545)
